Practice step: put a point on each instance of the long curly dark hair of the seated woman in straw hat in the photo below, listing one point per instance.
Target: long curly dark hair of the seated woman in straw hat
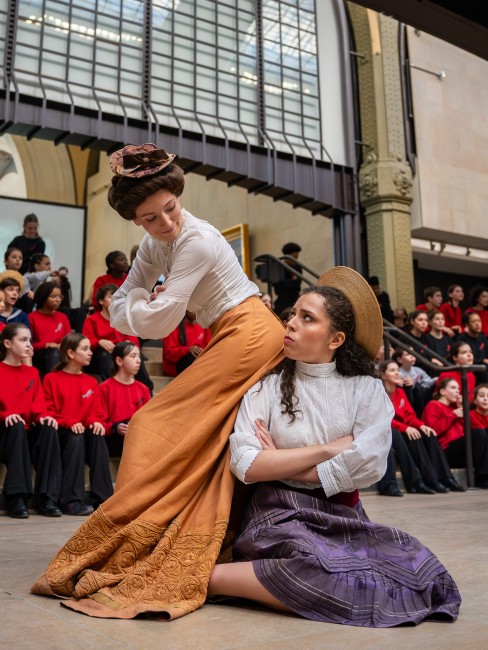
(351, 360)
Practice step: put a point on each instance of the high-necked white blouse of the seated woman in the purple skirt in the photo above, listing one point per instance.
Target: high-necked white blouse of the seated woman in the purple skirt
(331, 406)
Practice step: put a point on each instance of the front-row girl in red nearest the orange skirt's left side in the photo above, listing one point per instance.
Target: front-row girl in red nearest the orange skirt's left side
(122, 395)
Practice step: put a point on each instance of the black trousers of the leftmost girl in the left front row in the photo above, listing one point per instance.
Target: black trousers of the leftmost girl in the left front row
(18, 447)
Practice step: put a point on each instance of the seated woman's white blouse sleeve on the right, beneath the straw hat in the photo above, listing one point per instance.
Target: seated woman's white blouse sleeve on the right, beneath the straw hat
(365, 462)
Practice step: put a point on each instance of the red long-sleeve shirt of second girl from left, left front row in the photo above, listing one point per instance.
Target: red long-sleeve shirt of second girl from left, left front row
(72, 398)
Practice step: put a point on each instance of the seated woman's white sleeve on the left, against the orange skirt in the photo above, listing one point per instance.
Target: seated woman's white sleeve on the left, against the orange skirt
(244, 446)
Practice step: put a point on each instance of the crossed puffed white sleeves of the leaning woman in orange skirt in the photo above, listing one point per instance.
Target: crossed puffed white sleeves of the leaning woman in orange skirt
(130, 312)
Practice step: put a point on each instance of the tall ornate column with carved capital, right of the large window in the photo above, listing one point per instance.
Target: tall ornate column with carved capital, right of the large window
(385, 177)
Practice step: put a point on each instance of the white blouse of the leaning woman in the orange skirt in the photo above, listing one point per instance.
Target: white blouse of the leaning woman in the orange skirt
(204, 277)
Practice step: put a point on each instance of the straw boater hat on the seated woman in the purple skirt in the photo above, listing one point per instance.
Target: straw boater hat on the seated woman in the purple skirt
(368, 332)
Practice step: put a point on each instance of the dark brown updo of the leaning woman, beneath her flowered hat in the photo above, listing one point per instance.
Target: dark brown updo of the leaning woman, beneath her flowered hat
(126, 194)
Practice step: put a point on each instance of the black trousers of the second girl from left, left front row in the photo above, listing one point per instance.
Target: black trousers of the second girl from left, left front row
(76, 450)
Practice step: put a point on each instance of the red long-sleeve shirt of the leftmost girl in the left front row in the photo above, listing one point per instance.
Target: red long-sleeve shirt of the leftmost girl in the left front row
(21, 393)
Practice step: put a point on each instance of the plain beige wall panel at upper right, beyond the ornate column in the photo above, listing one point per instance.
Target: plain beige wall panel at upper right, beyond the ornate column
(451, 126)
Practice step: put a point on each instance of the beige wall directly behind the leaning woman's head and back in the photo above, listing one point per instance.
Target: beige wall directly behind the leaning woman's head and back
(271, 224)
